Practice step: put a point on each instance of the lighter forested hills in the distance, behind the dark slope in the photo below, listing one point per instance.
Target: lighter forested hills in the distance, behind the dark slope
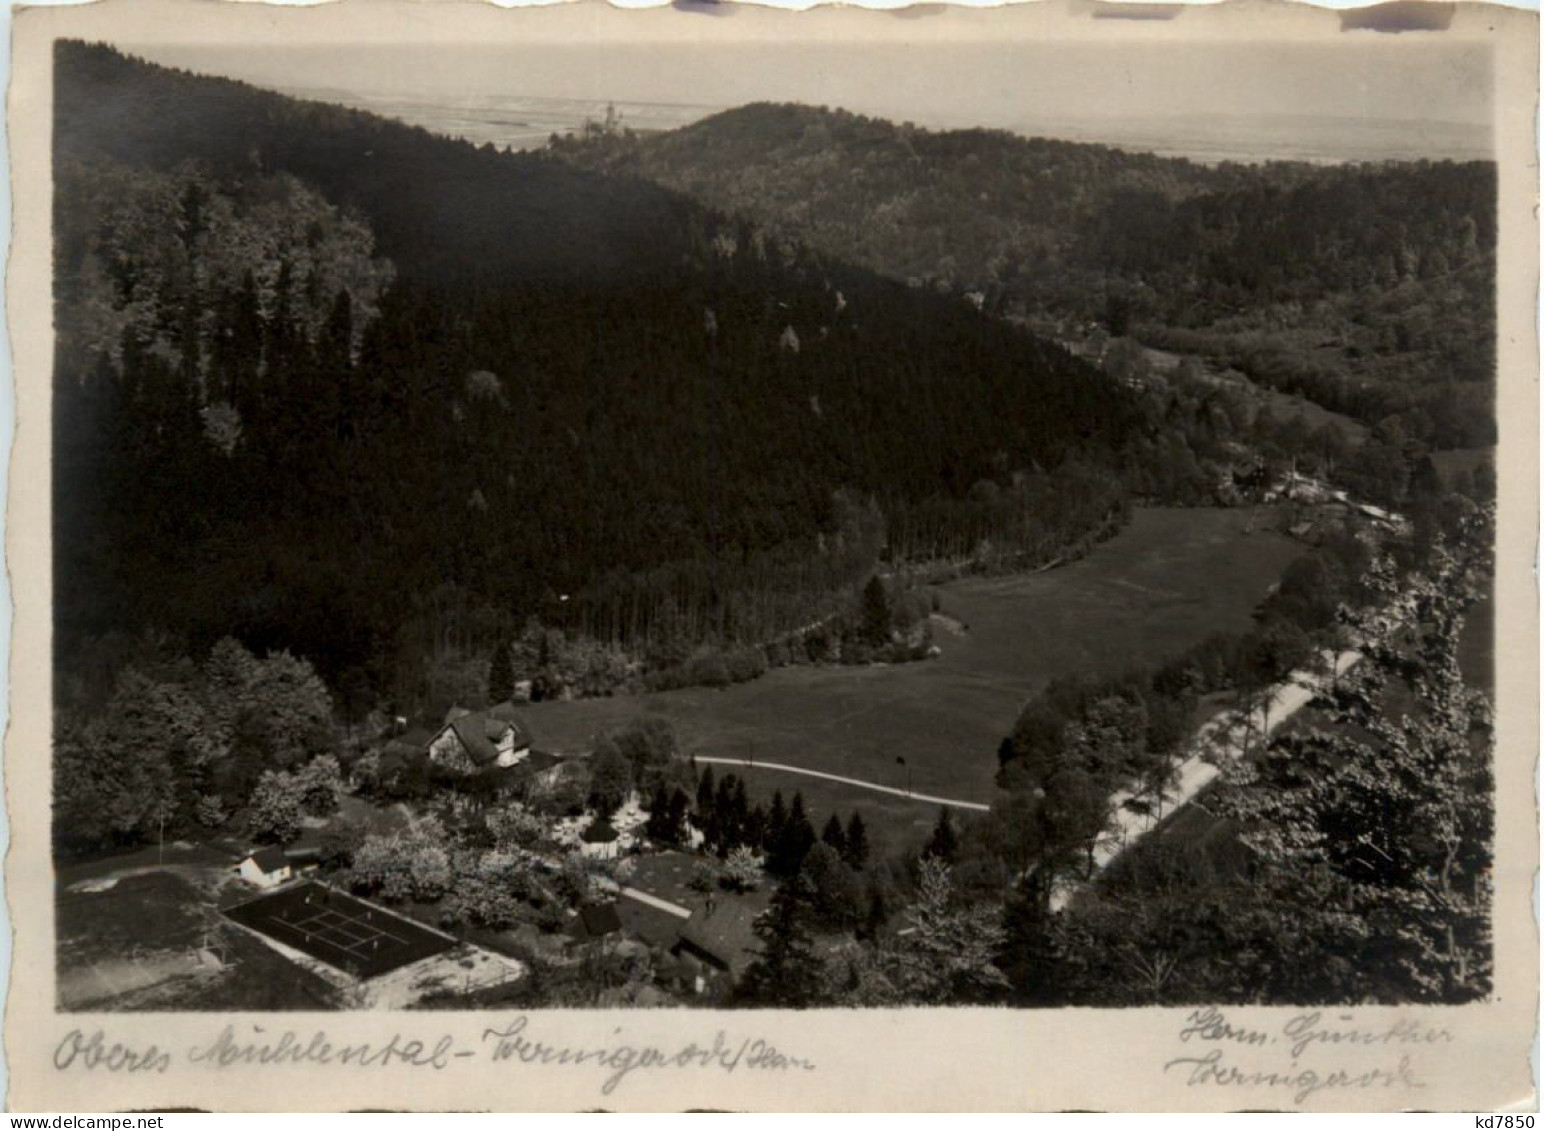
(1366, 288)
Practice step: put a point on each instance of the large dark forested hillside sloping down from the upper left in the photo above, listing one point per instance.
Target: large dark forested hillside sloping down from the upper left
(336, 385)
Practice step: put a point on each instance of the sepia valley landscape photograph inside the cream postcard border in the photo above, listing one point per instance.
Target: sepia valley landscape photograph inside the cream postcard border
(669, 524)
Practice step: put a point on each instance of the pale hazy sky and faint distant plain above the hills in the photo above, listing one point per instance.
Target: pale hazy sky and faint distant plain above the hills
(907, 79)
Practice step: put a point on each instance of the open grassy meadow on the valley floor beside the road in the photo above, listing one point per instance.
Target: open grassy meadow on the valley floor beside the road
(1170, 579)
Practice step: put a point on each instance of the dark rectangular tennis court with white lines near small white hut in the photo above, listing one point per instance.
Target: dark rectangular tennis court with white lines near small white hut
(348, 934)
